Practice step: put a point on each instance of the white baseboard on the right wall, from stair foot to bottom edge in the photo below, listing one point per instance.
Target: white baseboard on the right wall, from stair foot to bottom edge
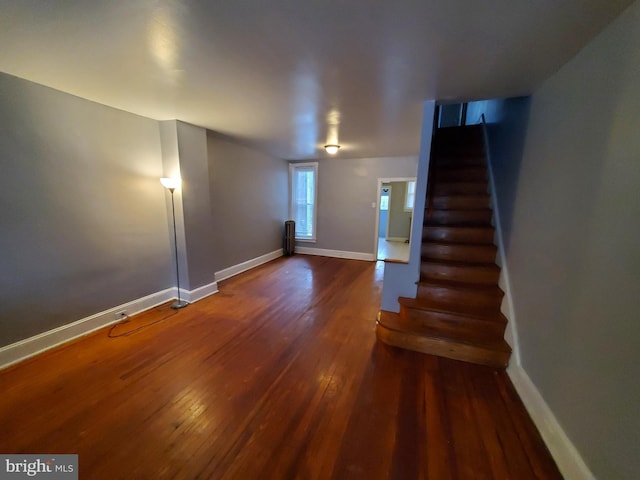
(567, 457)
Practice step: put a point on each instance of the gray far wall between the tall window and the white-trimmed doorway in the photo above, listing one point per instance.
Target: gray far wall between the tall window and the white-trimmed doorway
(346, 190)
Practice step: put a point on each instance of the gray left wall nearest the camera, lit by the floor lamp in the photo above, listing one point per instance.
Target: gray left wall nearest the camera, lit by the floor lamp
(83, 225)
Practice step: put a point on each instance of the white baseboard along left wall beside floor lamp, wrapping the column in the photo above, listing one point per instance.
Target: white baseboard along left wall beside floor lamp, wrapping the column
(23, 349)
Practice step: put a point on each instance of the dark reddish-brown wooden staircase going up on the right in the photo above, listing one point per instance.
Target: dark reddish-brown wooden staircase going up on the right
(456, 312)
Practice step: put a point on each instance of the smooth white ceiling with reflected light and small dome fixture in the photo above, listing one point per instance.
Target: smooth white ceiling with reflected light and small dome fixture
(289, 75)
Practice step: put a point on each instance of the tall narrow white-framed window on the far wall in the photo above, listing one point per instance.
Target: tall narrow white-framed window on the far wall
(304, 193)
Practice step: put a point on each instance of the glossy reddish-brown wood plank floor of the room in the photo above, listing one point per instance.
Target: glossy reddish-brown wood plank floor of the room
(278, 376)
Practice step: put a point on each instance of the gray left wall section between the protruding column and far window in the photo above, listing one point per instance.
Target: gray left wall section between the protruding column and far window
(249, 201)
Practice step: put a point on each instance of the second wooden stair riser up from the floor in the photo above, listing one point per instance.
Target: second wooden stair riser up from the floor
(451, 326)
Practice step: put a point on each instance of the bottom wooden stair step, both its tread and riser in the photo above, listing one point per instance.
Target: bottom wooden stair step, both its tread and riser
(391, 330)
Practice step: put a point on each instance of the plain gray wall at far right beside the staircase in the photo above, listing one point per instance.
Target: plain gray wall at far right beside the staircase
(574, 248)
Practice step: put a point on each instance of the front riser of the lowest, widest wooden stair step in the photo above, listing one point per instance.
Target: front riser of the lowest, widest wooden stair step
(465, 353)
